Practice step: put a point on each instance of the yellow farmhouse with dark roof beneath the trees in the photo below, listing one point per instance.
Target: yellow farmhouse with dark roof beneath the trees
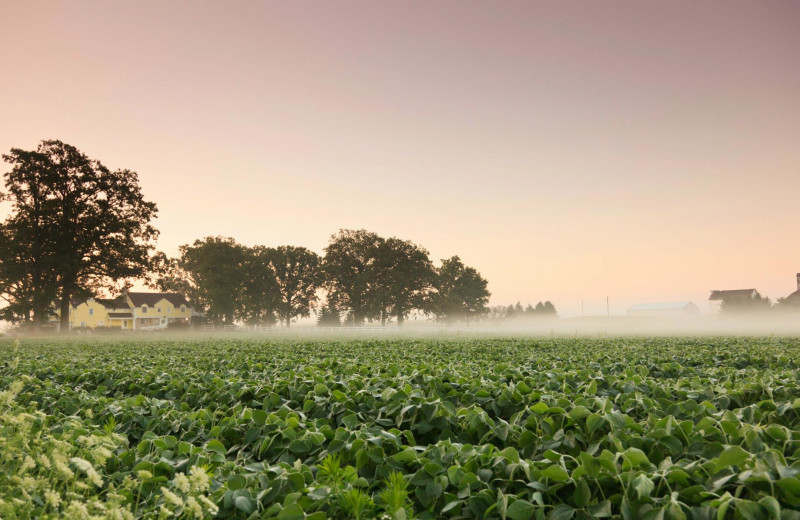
(131, 311)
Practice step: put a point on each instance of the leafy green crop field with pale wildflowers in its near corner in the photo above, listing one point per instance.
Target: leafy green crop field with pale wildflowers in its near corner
(562, 428)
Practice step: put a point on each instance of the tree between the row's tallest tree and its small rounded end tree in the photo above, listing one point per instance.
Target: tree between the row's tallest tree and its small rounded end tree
(402, 275)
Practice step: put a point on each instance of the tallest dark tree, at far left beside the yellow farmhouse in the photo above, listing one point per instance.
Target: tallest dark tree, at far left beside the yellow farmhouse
(86, 226)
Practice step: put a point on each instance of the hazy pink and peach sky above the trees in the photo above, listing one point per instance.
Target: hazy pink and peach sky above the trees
(569, 151)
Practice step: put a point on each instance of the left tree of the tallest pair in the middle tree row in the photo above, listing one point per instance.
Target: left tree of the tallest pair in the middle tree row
(349, 267)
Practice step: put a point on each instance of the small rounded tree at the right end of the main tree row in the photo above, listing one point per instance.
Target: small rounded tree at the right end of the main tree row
(461, 292)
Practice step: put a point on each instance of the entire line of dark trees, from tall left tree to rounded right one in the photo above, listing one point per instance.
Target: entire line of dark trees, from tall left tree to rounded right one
(77, 228)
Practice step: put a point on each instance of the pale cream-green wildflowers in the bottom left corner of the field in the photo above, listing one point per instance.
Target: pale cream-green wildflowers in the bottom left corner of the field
(57, 469)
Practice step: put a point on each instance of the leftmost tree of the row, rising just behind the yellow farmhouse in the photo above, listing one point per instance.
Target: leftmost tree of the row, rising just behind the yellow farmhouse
(213, 273)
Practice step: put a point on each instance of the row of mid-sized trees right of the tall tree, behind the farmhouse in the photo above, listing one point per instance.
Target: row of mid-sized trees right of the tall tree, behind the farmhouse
(364, 278)
